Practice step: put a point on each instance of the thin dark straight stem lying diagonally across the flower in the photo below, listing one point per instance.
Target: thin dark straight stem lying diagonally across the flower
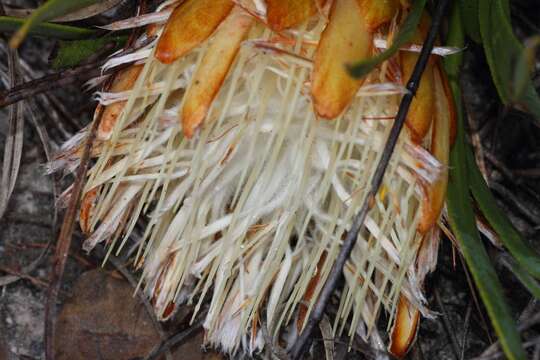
(337, 269)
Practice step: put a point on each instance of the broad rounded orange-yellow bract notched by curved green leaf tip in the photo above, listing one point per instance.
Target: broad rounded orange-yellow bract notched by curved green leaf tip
(345, 40)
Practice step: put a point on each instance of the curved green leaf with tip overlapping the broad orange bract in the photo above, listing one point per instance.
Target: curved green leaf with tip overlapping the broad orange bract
(406, 32)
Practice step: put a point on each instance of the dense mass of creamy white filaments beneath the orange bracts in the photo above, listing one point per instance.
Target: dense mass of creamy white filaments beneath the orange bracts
(248, 212)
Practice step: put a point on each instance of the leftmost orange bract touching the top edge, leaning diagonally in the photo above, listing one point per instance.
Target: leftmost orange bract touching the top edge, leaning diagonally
(191, 23)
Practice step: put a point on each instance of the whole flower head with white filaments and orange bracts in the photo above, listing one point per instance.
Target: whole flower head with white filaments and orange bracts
(242, 139)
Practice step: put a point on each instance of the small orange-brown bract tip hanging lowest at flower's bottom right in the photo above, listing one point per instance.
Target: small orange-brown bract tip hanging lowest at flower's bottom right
(405, 327)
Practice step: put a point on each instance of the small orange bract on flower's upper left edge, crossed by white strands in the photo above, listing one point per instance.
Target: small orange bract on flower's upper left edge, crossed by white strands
(125, 80)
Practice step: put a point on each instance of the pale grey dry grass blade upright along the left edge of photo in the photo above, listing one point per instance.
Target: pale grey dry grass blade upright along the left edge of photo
(14, 141)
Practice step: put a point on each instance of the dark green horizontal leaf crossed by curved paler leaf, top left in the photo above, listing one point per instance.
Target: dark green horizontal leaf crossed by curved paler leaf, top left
(64, 32)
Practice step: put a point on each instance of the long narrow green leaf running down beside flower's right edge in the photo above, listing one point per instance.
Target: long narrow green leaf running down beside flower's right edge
(462, 220)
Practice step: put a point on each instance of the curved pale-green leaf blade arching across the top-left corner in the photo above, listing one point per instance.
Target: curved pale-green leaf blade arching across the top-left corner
(50, 10)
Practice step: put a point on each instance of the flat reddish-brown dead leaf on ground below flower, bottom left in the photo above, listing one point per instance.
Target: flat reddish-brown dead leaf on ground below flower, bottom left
(103, 320)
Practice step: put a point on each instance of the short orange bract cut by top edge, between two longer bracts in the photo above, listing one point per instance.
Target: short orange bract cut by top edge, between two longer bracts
(283, 14)
